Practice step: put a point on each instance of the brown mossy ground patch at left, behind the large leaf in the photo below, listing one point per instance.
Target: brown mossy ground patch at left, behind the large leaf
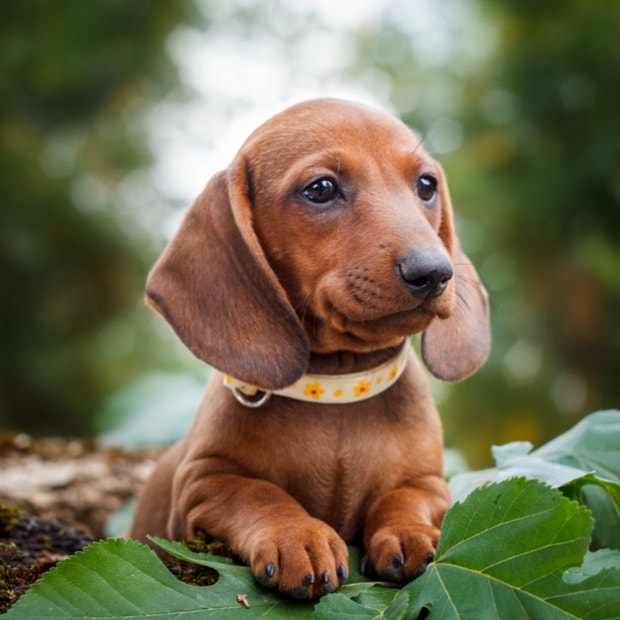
(56, 496)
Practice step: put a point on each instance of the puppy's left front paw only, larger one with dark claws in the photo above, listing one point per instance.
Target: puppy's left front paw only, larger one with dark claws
(304, 558)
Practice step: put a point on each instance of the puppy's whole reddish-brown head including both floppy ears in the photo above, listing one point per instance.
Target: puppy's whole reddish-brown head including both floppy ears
(331, 230)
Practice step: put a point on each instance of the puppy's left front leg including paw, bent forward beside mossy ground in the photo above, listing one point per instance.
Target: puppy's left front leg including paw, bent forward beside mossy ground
(272, 533)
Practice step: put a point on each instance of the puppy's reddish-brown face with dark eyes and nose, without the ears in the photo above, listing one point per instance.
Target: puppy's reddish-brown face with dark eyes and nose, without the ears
(358, 206)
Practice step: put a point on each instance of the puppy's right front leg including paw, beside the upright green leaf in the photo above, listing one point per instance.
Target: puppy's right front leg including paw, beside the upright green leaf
(402, 530)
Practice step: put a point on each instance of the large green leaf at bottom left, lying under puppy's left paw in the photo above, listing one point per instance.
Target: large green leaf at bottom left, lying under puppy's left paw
(118, 578)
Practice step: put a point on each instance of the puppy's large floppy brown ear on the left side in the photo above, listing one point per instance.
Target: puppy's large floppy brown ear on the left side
(215, 288)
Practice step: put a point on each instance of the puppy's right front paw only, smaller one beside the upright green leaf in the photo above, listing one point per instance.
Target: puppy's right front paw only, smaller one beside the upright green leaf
(400, 554)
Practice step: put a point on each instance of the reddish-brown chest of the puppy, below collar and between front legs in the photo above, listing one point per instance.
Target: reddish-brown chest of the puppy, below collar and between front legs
(337, 467)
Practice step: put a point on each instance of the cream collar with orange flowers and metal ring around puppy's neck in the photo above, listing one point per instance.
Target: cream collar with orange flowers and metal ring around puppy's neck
(328, 389)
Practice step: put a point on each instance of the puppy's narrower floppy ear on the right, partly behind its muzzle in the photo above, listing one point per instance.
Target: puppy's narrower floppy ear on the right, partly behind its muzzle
(456, 347)
